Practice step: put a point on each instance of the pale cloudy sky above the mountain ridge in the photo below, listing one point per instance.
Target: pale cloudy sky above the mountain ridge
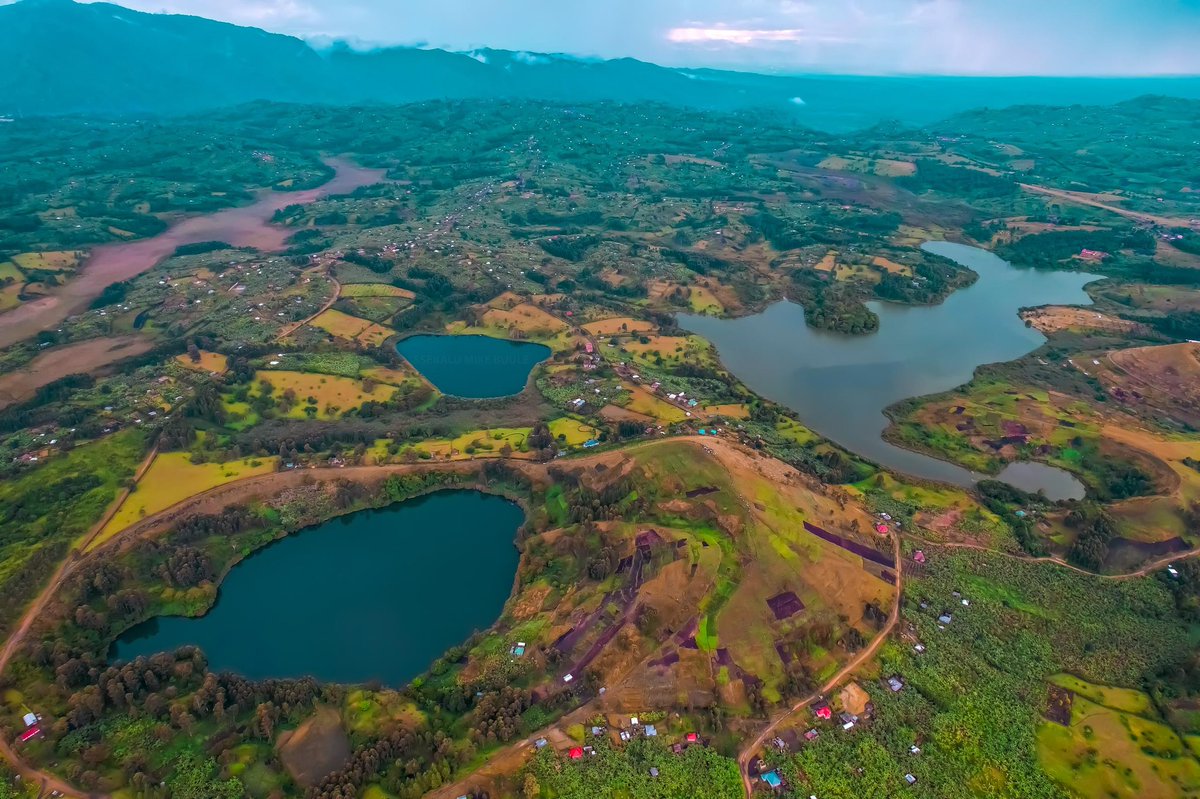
(860, 37)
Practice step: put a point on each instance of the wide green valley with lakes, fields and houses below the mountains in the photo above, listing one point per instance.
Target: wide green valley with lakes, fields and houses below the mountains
(526, 447)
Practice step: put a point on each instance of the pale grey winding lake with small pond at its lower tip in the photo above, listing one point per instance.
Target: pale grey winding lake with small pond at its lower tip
(839, 385)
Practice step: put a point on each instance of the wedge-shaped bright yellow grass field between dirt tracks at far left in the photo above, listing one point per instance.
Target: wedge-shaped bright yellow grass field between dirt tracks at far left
(172, 479)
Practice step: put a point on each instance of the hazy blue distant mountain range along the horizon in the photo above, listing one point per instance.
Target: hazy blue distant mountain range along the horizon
(63, 58)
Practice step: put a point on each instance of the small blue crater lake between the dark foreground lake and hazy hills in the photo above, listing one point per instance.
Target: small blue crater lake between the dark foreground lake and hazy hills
(477, 368)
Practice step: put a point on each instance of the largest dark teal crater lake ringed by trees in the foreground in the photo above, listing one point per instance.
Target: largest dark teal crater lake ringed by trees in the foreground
(374, 596)
